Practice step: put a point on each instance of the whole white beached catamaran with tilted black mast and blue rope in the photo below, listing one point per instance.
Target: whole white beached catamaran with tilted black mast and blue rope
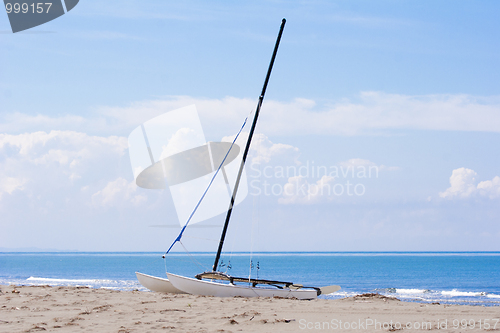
(215, 282)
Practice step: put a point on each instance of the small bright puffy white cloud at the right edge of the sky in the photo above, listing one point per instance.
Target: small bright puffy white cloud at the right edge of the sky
(463, 185)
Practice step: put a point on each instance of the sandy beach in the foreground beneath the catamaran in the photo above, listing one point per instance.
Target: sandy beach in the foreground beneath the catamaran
(81, 309)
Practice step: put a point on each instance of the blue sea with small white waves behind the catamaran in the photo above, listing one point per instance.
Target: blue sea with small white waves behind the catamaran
(471, 278)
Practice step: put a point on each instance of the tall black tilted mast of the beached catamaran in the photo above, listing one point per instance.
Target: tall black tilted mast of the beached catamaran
(247, 147)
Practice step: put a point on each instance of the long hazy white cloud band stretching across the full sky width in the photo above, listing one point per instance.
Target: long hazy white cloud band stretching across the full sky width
(371, 113)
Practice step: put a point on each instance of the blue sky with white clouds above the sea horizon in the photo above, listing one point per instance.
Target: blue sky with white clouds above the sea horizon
(410, 88)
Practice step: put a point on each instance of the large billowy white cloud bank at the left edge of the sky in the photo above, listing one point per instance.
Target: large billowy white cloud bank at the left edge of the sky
(54, 166)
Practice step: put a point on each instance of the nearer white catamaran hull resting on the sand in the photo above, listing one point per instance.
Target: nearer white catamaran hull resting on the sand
(208, 288)
